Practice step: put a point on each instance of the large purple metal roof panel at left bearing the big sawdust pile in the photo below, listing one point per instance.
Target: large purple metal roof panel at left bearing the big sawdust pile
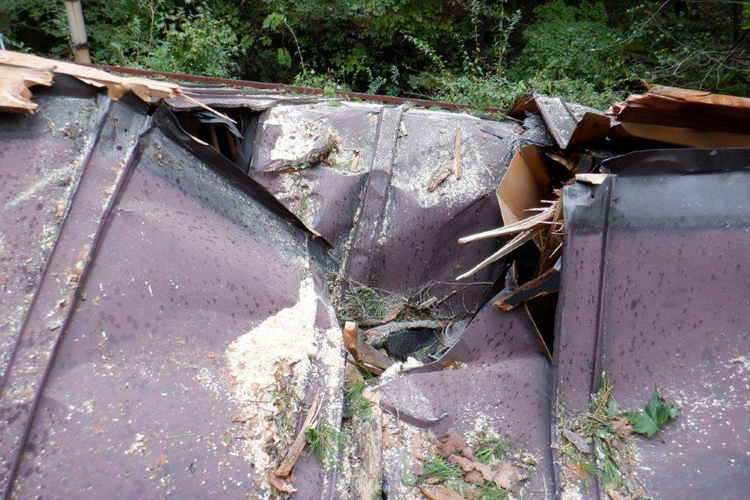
(169, 282)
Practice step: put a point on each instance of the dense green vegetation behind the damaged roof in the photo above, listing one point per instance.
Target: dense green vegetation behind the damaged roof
(481, 52)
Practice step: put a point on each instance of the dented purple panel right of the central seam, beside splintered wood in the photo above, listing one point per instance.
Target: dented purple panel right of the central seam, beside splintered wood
(417, 239)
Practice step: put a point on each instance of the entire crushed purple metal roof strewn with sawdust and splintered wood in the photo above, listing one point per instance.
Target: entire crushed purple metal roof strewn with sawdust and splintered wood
(173, 303)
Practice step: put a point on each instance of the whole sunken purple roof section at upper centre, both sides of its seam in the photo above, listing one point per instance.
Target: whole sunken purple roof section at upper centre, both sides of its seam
(373, 205)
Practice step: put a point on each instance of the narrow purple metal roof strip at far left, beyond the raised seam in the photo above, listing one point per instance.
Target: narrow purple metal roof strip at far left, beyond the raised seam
(42, 159)
